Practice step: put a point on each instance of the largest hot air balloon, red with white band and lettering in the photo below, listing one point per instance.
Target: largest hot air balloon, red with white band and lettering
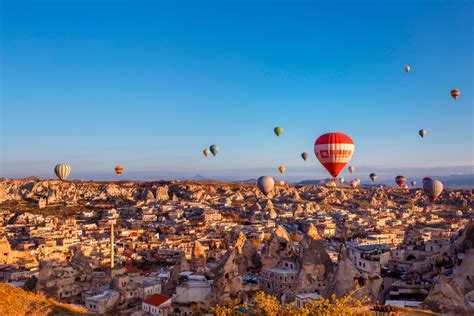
(334, 151)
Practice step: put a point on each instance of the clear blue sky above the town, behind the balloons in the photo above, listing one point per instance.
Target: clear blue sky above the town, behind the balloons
(150, 84)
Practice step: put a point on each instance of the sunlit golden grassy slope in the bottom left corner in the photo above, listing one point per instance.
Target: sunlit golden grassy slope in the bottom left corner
(17, 302)
